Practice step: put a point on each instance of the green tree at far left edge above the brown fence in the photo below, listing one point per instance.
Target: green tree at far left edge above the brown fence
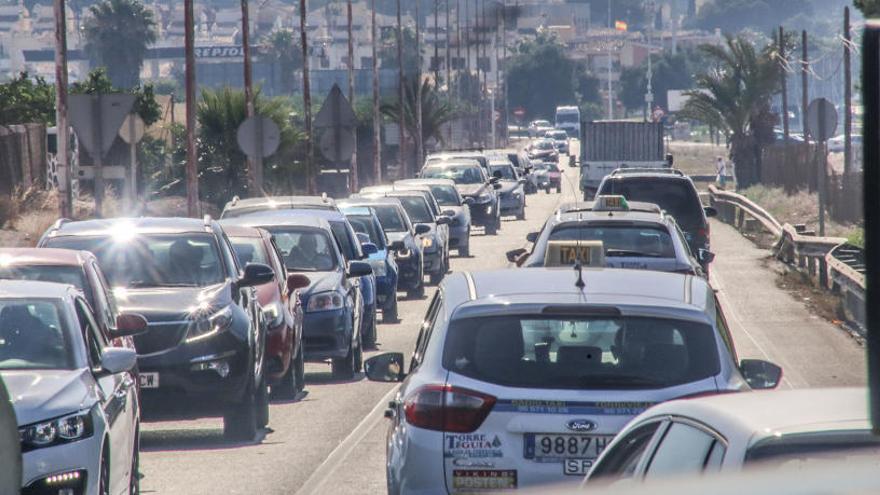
(26, 100)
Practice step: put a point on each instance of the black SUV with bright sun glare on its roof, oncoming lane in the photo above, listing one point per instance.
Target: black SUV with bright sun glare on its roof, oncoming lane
(203, 354)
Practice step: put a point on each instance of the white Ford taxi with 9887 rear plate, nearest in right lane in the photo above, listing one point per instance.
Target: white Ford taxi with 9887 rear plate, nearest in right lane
(520, 378)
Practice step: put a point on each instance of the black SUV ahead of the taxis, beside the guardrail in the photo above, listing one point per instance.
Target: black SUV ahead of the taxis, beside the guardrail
(671, 190)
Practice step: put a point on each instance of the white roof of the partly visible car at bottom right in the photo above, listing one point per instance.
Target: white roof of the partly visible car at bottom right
(762, 414)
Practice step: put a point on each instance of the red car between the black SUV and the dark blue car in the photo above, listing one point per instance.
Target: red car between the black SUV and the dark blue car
(282, 310)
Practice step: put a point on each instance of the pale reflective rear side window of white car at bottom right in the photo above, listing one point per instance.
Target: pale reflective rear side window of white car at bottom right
(683, 451)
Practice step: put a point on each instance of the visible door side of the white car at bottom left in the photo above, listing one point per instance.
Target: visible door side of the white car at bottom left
(116, 393)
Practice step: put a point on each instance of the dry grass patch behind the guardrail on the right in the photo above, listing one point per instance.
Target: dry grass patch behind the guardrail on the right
(799, 208)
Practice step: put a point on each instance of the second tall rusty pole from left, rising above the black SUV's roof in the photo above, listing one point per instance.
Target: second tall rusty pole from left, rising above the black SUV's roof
(192, 170)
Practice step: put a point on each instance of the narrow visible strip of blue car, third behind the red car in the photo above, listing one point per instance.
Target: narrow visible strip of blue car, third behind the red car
(379, 255)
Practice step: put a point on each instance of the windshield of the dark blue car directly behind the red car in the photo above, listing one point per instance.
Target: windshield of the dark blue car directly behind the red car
(304, 249)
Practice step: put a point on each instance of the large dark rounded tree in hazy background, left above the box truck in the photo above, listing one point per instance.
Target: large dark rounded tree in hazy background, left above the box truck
(540, 76)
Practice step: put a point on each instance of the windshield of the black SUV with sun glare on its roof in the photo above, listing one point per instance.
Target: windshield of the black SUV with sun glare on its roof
(152, 260)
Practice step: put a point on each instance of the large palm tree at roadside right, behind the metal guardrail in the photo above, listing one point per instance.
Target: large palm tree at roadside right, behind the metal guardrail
(734, 96)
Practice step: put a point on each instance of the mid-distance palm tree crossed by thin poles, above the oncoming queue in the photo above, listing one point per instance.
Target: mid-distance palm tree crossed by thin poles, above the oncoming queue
(436, 111)
